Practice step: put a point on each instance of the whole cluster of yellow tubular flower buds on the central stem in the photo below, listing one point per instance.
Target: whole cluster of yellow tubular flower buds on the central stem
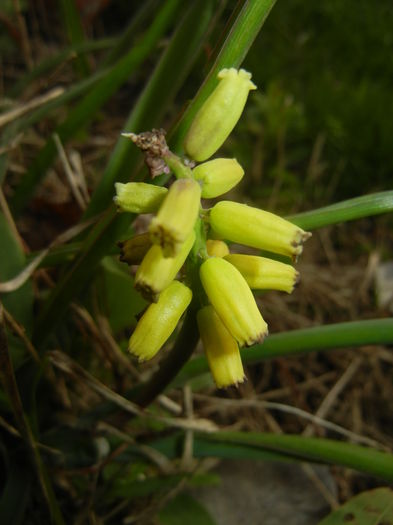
(182, 230)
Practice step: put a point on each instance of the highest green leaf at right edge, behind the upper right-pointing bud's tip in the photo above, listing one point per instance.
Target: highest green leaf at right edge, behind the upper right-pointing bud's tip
(364, 206)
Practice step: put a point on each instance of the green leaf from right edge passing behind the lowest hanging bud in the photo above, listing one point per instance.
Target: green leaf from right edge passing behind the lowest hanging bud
(305, 340)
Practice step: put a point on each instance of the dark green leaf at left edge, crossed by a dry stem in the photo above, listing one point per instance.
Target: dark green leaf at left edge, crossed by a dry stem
(12, 260)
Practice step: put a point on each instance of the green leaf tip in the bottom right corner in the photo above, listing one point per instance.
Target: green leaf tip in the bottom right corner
(374, 507)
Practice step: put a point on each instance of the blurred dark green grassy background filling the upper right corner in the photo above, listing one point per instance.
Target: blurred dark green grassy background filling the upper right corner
(324, 112)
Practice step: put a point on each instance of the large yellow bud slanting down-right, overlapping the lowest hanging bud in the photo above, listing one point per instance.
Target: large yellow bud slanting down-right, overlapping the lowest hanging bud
(233, 301)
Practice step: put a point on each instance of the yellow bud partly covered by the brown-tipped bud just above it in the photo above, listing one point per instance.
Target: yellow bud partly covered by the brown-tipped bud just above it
(156, 272)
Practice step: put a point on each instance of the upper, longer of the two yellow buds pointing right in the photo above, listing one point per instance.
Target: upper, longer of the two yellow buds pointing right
(257, 228)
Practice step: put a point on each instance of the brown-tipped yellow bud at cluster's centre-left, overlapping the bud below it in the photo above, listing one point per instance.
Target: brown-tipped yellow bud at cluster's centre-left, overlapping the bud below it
(176, 217)
